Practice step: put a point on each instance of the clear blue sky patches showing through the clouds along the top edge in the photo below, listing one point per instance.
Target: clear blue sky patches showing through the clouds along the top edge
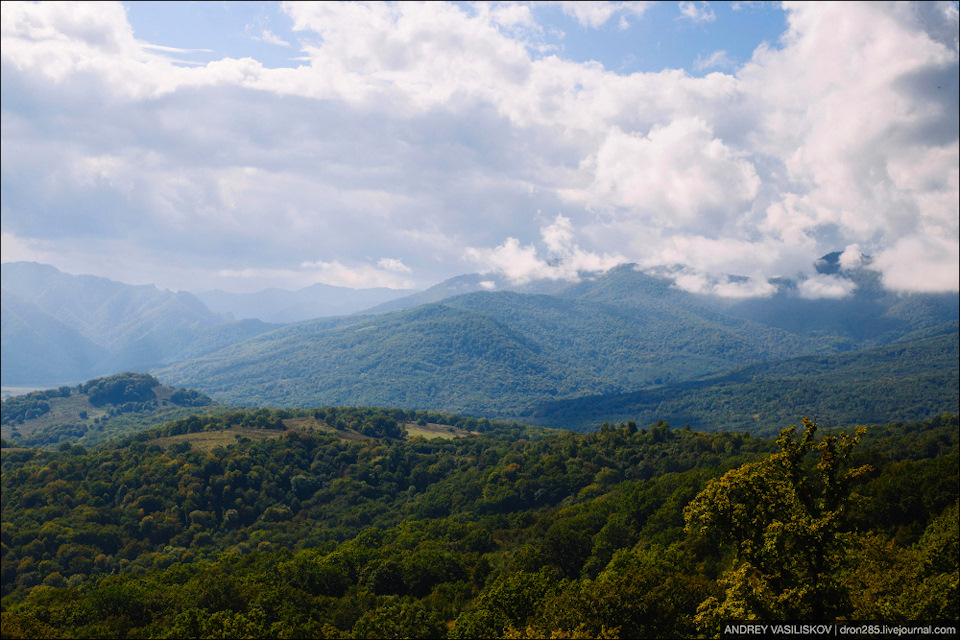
(662, 36)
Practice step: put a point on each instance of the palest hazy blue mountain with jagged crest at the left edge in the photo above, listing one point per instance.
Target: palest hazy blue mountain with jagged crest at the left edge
(59, 328)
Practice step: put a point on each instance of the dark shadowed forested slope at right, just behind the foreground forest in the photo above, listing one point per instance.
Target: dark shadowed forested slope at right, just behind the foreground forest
(903, 381)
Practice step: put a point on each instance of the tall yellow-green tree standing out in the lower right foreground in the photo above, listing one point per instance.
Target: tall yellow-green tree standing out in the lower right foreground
(783, 517)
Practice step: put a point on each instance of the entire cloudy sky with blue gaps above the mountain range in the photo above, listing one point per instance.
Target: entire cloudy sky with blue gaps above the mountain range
(245, 145)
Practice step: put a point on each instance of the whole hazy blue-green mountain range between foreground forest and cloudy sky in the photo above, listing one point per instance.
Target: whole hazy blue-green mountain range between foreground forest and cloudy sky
(552, 353)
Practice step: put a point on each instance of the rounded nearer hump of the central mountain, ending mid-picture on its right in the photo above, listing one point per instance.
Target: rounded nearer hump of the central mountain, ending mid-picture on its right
(428, 357)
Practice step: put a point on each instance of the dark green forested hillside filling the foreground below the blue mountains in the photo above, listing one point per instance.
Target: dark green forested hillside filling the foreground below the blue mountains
(337, 523)
